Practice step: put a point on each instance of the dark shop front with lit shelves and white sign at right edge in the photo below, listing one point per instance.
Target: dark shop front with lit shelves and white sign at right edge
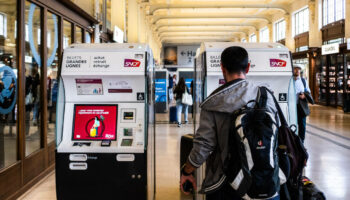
(333, 67)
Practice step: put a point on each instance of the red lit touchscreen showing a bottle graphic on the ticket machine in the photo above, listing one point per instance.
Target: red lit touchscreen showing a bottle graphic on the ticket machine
(95, 122)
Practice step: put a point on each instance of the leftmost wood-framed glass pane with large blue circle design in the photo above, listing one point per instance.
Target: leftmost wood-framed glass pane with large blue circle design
(8, 84)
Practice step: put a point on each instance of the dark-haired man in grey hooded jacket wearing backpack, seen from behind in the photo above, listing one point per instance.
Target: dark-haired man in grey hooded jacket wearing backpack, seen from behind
(237, 137)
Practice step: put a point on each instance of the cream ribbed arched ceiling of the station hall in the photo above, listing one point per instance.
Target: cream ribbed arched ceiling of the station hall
(195, 21)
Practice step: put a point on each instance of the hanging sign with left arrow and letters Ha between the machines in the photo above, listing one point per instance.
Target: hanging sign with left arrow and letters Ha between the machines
(186, 55)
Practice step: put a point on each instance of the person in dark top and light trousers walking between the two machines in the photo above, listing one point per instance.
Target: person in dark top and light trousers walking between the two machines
(179, 91)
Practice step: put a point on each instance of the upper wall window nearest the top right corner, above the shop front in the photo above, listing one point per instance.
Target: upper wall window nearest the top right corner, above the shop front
(333, 10)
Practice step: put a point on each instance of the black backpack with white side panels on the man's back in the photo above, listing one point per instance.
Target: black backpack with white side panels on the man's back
(251, 166)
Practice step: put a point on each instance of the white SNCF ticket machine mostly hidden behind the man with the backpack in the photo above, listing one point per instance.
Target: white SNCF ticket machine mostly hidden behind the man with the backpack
(270, 63)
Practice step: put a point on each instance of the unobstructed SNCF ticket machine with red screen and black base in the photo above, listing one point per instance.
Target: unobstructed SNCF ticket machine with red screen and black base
(105, 123)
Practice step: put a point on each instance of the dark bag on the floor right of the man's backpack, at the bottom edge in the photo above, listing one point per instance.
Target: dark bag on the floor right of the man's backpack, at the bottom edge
(310, 191)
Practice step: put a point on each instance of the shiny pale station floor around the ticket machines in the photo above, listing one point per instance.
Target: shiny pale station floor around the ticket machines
(327, 141)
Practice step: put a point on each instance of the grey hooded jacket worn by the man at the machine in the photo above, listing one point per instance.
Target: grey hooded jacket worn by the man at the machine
(210, 141)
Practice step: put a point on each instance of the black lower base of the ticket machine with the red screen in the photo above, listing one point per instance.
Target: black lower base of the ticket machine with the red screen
(105, 178)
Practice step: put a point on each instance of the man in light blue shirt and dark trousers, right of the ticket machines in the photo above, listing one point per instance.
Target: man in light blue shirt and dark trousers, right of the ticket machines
(303, 97)
